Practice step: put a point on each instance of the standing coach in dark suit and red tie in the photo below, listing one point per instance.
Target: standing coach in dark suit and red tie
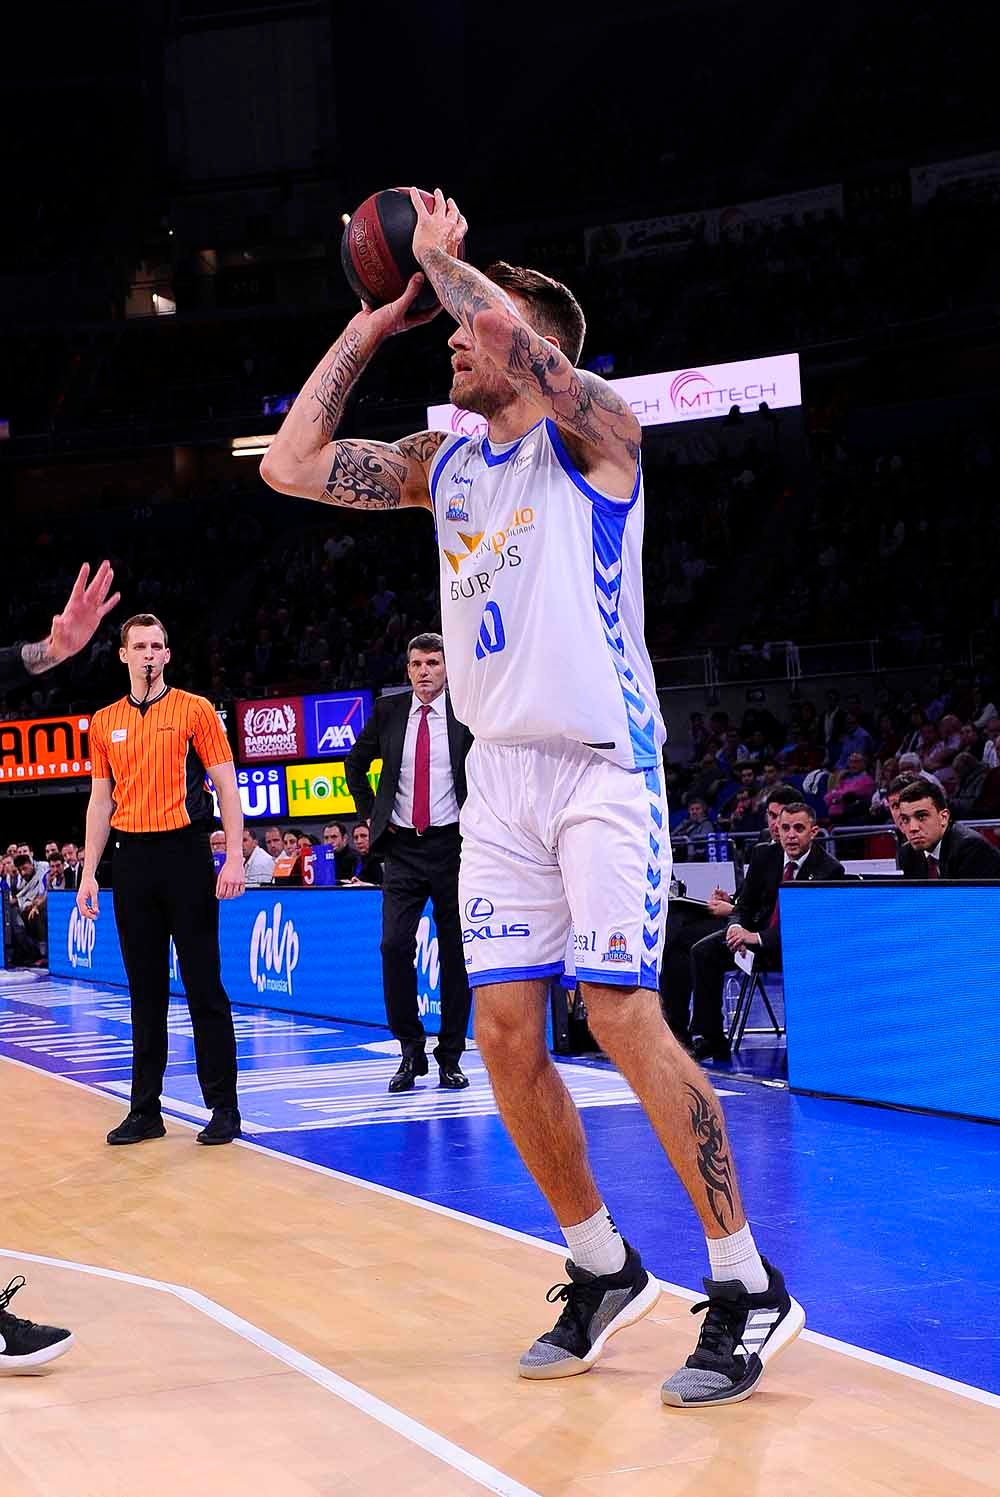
(414, 821)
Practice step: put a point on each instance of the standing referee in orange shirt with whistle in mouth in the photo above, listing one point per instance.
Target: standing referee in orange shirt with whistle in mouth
(150, 752)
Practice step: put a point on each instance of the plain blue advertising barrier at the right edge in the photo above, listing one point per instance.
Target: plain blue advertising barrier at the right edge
(891, 993)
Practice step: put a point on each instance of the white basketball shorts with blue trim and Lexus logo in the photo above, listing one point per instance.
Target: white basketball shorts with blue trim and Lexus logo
(564, 853)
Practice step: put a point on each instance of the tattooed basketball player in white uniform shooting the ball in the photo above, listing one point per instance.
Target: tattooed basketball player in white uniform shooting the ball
(540, 526)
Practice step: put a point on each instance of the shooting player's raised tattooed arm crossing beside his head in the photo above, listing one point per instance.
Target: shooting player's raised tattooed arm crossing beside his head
(579, 402)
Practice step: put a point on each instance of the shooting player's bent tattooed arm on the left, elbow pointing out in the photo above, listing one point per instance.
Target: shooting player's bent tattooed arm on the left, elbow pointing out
(357, 474)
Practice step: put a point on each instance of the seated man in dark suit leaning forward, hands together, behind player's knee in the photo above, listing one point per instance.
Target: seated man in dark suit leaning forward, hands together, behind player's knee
(754, 923)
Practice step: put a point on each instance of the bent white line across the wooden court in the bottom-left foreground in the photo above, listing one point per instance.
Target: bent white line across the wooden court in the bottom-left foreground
(436, 1445)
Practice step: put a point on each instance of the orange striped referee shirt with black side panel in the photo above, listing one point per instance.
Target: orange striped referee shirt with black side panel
(156, 758)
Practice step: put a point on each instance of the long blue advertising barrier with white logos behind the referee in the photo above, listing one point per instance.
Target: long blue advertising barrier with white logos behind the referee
(294, 950)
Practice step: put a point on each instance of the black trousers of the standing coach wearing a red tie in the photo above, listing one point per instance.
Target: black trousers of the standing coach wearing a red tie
(418, 869)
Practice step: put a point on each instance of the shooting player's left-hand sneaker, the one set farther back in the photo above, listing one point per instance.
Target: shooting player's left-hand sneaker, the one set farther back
(598, 1306)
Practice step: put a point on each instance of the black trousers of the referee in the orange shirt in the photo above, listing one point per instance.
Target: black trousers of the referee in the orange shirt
(165, 885)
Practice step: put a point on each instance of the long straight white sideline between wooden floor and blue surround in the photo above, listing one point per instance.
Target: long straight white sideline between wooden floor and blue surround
(859, 1354)
